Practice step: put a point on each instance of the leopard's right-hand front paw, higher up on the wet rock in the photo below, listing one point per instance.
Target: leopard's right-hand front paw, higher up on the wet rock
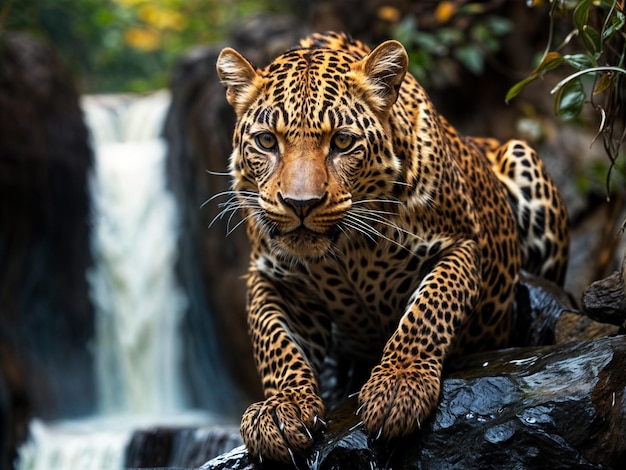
(395, 401)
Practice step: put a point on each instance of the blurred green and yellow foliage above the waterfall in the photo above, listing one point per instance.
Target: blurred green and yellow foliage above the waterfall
(127, 45)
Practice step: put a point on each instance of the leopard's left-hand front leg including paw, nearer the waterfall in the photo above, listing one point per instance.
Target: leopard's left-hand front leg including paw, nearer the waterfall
(287, 360)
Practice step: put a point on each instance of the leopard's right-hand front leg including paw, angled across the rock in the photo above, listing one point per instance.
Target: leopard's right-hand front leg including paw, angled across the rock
(404, 388)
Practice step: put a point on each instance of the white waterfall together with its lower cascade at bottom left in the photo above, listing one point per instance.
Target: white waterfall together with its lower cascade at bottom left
(138, 304)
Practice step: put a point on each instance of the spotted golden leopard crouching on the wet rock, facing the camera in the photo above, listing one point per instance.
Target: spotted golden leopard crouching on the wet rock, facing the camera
(375, 228)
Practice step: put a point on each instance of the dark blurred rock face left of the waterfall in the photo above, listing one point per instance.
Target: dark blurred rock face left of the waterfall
(45, 314)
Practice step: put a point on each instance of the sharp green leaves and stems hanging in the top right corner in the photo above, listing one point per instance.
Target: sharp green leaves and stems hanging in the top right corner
(600, 55)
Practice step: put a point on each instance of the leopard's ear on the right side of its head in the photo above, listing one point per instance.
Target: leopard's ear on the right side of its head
(384, 69)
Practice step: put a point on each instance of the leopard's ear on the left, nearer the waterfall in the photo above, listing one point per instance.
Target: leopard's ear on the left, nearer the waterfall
(239, 77)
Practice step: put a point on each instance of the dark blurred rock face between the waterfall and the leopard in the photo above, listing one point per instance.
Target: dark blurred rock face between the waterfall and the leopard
(197, 129)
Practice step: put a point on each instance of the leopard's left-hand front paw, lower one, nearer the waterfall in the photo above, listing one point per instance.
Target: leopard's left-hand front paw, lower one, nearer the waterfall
(283, 425)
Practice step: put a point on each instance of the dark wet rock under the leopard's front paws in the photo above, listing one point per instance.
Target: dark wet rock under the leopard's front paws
(547, 407)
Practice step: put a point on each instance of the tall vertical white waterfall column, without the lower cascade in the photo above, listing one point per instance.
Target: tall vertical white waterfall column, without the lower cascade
(137, 301)
